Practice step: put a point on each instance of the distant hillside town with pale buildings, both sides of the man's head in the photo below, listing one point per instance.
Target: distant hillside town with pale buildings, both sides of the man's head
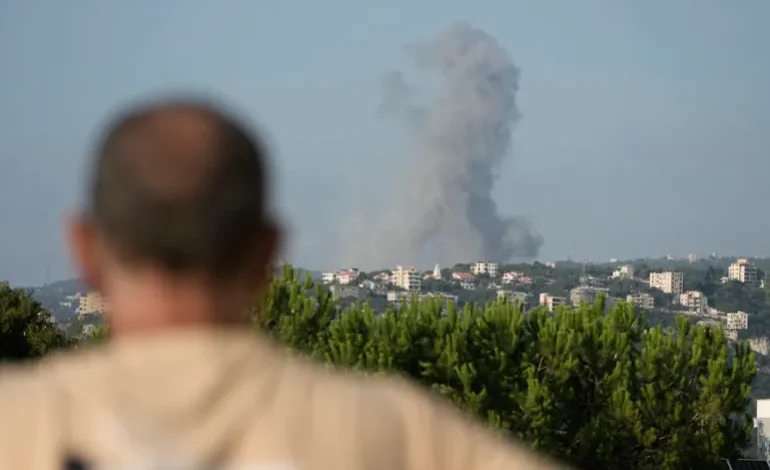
(713, 291)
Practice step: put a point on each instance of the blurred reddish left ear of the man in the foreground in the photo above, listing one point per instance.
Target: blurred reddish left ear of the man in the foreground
(83, 245)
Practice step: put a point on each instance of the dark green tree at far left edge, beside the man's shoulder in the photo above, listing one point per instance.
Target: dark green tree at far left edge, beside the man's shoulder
(27, 330)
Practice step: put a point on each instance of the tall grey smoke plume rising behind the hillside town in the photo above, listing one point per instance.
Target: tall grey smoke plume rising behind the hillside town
(461, 136)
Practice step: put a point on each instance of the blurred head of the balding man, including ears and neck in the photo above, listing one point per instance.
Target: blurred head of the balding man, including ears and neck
(176, 209)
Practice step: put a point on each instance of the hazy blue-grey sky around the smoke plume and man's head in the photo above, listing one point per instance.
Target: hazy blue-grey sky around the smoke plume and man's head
(645, 130)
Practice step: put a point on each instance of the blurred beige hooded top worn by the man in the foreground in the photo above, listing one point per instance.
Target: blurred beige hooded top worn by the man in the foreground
(203, 399)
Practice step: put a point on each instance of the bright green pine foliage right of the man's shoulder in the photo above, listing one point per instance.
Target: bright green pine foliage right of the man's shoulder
(599, 390)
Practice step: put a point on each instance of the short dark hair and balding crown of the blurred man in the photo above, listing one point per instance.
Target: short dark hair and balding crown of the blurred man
(179, 184)
